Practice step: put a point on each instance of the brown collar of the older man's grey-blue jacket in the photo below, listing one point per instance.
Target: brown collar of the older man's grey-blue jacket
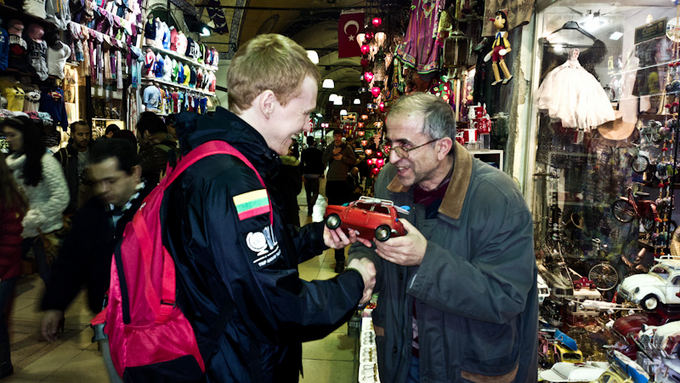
(452, 205)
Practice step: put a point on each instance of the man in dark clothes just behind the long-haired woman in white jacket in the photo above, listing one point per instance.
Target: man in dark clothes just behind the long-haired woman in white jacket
(73, 160)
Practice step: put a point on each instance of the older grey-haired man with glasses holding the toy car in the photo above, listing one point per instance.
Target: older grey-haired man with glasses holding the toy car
(458, 299)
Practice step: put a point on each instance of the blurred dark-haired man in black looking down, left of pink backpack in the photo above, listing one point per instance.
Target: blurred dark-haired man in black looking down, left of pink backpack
(85, 257)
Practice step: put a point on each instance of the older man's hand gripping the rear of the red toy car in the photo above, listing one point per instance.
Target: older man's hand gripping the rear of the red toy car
(407, 250)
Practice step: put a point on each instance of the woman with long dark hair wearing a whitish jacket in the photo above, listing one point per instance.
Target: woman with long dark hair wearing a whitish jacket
(40, 177)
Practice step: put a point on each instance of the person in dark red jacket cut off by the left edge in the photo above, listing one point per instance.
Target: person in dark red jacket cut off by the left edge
(13, 206)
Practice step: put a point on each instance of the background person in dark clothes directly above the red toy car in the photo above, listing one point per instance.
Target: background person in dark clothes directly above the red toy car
(339, 157)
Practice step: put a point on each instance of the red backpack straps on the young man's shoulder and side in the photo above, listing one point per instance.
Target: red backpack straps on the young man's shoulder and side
(204, 150)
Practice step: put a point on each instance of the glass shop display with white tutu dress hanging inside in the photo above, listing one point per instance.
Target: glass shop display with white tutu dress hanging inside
(605, 87)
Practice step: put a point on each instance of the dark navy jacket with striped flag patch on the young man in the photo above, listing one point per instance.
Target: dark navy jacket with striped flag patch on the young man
(245, 266)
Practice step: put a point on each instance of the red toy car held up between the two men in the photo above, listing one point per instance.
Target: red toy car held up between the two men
(371, 217)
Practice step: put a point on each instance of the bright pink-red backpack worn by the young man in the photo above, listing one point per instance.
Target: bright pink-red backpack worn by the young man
(150, 338)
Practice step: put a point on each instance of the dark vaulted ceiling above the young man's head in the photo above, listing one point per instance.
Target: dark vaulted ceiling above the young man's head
(312, 23)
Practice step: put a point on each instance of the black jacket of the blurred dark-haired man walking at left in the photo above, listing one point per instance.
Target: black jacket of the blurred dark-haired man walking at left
(85, 256)
